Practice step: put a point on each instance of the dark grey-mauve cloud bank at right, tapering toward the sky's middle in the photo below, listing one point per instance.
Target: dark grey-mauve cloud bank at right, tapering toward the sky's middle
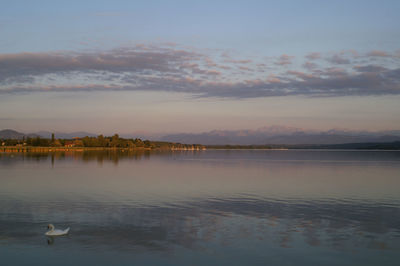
(331, 83)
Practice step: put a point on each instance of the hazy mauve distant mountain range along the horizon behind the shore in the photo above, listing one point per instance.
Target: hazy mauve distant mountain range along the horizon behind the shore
(262, 136)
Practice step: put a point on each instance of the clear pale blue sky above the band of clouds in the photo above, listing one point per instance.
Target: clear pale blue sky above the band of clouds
(269, 27)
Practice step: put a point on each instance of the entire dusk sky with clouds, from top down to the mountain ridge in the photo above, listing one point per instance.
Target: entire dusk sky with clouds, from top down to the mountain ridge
(161, 67)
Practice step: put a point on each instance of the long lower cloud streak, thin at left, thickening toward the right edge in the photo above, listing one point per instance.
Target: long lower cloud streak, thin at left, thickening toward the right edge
(387, 82)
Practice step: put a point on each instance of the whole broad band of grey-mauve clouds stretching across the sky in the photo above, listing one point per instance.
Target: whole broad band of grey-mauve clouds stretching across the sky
(152, 68)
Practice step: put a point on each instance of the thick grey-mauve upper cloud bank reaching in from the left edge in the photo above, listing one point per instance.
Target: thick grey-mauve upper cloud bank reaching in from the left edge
(35, 64)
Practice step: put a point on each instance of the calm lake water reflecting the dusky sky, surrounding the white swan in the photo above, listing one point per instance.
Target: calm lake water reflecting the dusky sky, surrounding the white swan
(201, 208)
